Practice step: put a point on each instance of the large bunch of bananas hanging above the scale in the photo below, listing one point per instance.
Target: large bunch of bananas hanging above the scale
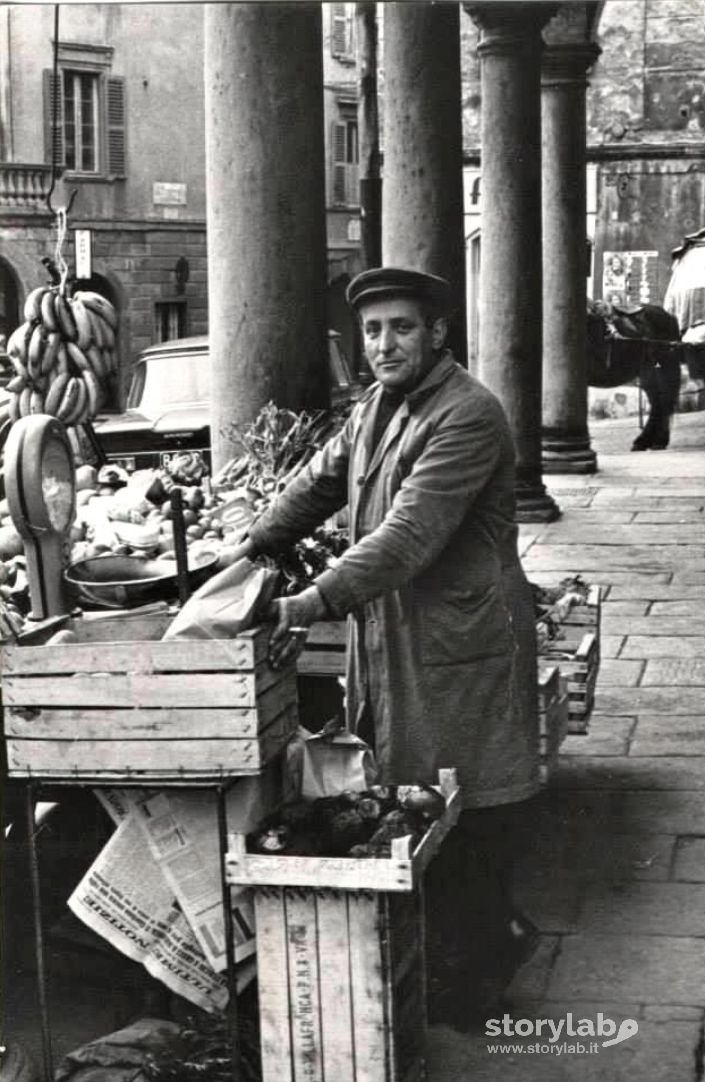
(63, 355)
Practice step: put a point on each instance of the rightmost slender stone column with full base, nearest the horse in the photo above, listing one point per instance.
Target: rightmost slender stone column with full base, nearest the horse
(566, 438)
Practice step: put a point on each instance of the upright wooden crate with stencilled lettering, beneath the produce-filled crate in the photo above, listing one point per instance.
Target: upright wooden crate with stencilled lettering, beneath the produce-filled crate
(341, 981)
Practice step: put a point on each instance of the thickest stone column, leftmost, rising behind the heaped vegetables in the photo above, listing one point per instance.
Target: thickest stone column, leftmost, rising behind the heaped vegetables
(267, 213)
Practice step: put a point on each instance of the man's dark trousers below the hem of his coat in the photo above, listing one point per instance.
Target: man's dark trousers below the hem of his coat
(474, 930)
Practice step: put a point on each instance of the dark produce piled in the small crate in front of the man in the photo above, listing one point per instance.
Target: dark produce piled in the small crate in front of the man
(352, 824)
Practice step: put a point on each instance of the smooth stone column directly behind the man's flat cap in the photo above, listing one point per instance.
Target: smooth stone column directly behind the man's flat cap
(422, 199)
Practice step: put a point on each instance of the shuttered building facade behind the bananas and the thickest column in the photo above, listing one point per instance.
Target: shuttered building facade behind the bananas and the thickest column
(118, 109)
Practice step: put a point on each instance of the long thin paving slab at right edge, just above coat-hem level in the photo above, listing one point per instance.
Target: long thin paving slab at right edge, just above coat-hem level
(642, 770)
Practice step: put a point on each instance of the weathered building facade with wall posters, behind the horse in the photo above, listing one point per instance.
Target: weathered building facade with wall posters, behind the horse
(646, 149)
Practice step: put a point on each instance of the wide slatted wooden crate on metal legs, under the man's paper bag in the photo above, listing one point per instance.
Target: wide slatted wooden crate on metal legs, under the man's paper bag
(121, 706)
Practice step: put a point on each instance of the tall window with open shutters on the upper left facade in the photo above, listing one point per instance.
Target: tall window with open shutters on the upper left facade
(85, 117)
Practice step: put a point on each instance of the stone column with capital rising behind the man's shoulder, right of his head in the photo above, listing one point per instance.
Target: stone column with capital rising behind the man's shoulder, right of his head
(511, 281)
